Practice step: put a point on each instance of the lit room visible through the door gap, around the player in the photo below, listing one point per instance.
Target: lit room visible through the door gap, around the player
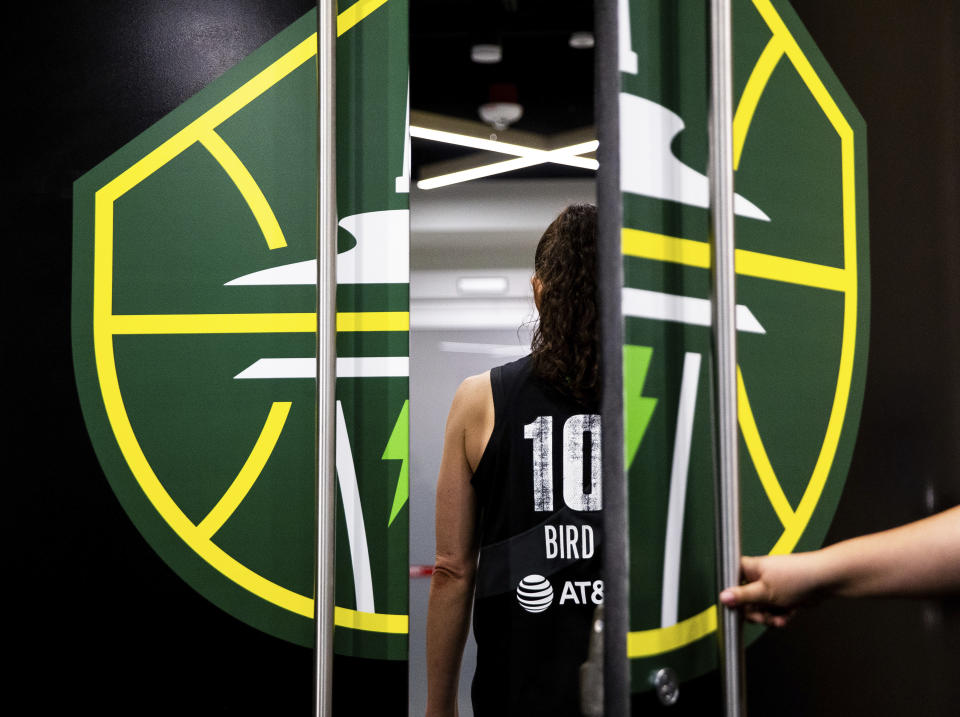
(491, 75)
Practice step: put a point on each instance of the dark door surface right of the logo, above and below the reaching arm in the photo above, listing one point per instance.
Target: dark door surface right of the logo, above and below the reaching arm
(898, 61)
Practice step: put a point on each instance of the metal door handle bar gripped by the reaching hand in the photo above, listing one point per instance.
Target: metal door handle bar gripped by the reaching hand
(729, 624)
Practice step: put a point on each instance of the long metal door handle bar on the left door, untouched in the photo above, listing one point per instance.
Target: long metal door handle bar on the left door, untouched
(326, 353)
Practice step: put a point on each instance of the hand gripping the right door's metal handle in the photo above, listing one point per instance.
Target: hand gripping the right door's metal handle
(775, 586)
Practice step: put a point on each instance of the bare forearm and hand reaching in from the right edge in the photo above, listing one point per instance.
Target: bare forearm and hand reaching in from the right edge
(917, 559)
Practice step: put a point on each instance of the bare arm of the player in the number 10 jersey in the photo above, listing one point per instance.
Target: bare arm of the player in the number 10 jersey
(451, 589)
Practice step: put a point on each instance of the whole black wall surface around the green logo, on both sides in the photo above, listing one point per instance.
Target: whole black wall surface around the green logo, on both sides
(98, 621)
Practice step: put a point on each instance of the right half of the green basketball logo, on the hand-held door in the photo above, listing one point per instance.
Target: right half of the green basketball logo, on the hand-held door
(802, 313)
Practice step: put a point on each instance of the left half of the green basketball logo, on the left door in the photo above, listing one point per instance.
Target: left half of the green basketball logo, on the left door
(194, 339)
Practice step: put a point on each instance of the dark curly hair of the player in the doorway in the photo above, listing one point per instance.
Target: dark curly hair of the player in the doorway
(564, 346)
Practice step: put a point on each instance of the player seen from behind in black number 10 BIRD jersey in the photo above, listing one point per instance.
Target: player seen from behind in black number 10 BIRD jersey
(519, 489)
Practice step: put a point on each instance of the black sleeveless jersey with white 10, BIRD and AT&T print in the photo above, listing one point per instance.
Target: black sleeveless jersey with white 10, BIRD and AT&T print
(538, 580)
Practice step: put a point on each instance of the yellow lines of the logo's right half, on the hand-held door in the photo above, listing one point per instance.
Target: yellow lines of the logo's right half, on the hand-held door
(646, 643)
